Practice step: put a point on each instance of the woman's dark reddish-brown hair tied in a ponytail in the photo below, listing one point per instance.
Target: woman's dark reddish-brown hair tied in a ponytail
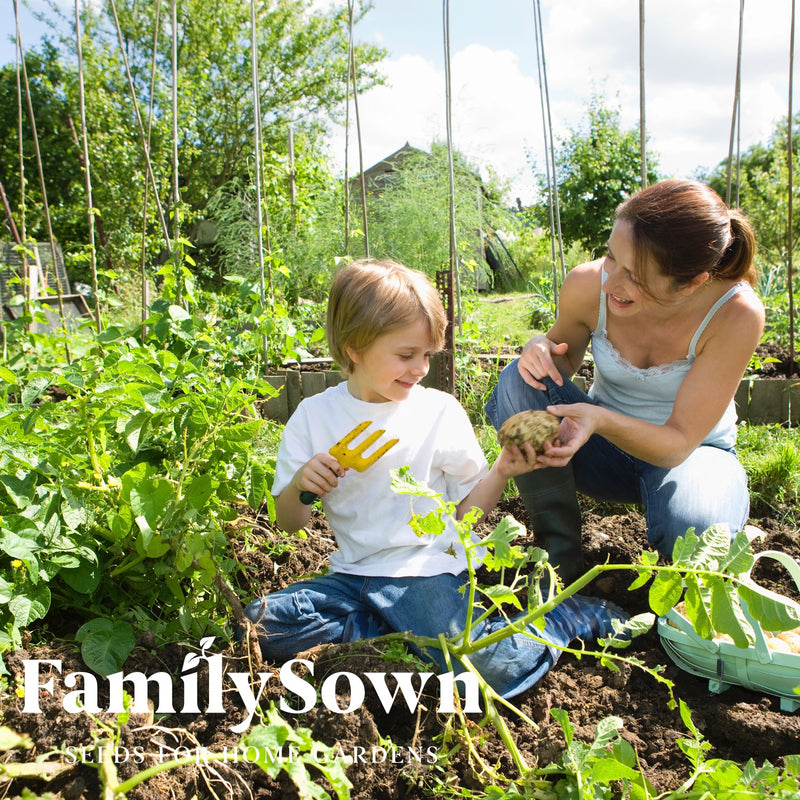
(686, 228)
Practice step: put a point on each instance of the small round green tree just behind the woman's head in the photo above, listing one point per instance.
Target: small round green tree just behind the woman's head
(597, 167)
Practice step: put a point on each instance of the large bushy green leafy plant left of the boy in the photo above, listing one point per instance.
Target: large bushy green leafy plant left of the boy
(119, 474)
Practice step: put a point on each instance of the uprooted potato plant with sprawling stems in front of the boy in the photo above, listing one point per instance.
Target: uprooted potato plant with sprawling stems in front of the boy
(709, 569)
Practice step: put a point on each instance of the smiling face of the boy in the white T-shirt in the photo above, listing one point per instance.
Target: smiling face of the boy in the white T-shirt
(392, 365)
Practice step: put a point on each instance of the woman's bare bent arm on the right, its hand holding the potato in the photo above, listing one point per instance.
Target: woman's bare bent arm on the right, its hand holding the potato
(702, 399)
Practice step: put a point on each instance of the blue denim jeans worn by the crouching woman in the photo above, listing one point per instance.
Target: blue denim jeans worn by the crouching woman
(709, 487)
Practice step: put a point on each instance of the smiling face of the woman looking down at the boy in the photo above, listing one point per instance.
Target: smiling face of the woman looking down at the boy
(625, 288)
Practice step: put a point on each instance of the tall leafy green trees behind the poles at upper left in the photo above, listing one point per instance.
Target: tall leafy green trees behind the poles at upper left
(302, 54)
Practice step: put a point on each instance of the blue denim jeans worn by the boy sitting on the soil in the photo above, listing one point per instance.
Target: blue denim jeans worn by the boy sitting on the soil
(337, 608)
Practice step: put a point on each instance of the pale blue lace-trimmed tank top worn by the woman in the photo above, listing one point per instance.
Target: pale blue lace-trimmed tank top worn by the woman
(649, 393)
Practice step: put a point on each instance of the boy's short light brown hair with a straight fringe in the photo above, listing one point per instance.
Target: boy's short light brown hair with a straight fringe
(371, 297)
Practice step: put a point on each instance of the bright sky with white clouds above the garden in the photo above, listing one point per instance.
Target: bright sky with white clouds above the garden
(591, 48)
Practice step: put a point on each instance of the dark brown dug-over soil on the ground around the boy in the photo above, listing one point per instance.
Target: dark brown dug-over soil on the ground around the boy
(738, 724)
